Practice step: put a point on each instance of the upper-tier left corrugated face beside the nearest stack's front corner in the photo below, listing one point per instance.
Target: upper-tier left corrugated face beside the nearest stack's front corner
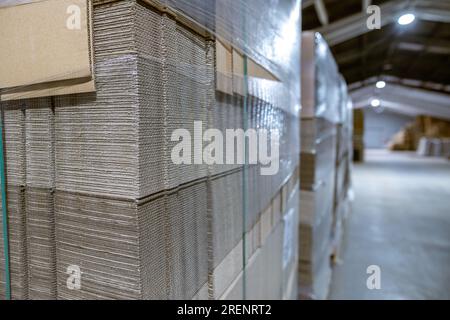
(96, 134)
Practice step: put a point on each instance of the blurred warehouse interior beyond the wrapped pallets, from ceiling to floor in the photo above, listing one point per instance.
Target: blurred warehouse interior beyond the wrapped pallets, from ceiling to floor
(399, 218)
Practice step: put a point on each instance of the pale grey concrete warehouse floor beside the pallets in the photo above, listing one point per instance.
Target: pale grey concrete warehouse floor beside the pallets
(400, 222)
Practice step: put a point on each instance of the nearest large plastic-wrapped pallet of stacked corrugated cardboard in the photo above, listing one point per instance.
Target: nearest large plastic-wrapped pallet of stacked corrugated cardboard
(92, 185)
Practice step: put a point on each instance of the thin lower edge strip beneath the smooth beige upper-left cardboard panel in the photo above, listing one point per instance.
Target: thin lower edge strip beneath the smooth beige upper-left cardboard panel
(46, 90)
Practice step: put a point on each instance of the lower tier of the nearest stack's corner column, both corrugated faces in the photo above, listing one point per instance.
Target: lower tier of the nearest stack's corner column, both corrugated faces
(154, 249)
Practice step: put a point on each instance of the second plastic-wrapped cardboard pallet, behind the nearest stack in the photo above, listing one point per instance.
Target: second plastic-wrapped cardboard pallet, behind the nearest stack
(320, 99)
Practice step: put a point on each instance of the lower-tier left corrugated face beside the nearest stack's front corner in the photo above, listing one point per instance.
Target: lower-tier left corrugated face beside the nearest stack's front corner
(101, 237)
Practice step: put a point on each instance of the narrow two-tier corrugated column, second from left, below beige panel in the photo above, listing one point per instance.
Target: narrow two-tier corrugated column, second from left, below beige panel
(40, 183)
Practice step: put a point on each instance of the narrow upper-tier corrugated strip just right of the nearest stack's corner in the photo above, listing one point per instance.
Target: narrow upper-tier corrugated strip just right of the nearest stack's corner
(152, 112)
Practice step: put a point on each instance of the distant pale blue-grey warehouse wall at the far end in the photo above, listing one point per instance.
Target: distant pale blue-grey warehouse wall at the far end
(380, 127)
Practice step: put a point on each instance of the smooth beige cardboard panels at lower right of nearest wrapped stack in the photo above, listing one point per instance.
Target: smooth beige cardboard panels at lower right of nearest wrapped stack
(271, 252)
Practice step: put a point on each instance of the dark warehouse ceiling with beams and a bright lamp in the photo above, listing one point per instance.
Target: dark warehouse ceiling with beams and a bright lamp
(415, 55)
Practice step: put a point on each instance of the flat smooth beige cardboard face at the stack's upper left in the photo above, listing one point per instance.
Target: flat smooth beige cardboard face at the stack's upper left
(37, 46)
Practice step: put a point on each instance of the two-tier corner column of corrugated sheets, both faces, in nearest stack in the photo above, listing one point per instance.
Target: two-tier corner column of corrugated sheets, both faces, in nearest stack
(134, 246)
